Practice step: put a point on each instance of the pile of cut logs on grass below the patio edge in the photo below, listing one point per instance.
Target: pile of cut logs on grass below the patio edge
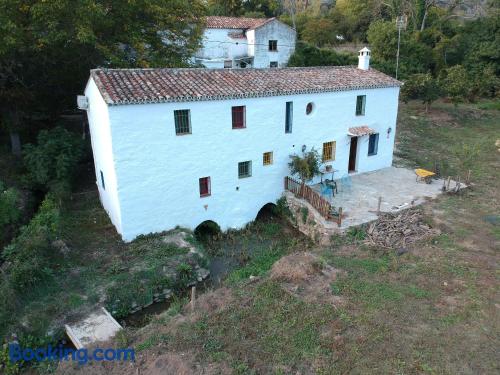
(398, 230)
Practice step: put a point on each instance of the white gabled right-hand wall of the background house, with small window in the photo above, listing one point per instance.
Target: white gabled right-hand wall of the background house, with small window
(274, 30)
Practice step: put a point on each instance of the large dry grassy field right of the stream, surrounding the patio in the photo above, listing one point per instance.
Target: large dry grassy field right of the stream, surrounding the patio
(431, 310)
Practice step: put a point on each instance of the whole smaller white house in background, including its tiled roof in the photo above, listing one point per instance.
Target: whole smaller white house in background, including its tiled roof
(232, 42)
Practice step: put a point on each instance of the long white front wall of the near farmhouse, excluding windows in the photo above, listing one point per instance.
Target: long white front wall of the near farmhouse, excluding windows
(159, 172)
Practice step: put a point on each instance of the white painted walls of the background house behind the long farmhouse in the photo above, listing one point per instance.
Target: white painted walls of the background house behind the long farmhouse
(220, 45)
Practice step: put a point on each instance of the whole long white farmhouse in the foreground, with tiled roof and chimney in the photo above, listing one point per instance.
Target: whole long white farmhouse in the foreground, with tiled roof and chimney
(182, 146)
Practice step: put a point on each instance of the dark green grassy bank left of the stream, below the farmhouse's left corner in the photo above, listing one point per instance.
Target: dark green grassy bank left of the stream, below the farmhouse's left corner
(99, 268)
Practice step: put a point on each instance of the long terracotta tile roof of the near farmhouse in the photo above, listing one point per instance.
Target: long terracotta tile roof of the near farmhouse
(134, 86)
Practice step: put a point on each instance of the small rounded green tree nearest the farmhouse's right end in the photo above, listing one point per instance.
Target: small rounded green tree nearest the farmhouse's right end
(423, 87)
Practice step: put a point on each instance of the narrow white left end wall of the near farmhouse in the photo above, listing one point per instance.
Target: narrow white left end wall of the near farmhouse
(102, 148)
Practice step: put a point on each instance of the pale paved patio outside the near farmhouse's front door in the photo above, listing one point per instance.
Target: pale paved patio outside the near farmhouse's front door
(397, 187)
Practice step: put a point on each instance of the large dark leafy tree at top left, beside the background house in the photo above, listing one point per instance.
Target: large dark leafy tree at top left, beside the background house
(48, 47)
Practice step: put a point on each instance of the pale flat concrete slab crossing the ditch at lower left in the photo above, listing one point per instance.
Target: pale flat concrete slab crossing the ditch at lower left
(97, 326)
